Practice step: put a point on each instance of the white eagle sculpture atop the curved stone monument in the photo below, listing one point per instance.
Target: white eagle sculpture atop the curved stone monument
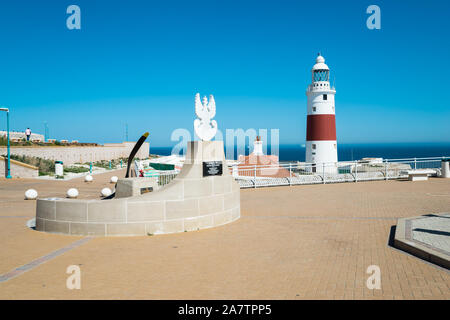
(205, 128)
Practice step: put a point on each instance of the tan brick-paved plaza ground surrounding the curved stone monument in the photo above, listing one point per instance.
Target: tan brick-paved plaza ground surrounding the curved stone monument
(302, 242)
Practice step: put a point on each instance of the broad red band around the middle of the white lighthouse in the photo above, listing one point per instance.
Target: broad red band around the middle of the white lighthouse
(321, 127)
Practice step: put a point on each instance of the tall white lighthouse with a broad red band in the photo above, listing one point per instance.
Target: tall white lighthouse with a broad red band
(321, 145)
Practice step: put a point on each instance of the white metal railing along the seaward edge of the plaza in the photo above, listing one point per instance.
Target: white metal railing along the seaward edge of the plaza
(298, 173)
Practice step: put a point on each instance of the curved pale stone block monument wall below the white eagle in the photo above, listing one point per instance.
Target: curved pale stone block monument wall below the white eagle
(190, 202)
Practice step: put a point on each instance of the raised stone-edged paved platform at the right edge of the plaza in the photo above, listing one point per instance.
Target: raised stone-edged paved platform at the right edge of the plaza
(427, 237)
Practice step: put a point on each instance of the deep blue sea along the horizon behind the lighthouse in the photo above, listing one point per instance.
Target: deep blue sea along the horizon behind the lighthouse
(349, 152)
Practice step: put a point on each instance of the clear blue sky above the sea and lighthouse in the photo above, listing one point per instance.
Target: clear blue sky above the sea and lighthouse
(141, 63)
